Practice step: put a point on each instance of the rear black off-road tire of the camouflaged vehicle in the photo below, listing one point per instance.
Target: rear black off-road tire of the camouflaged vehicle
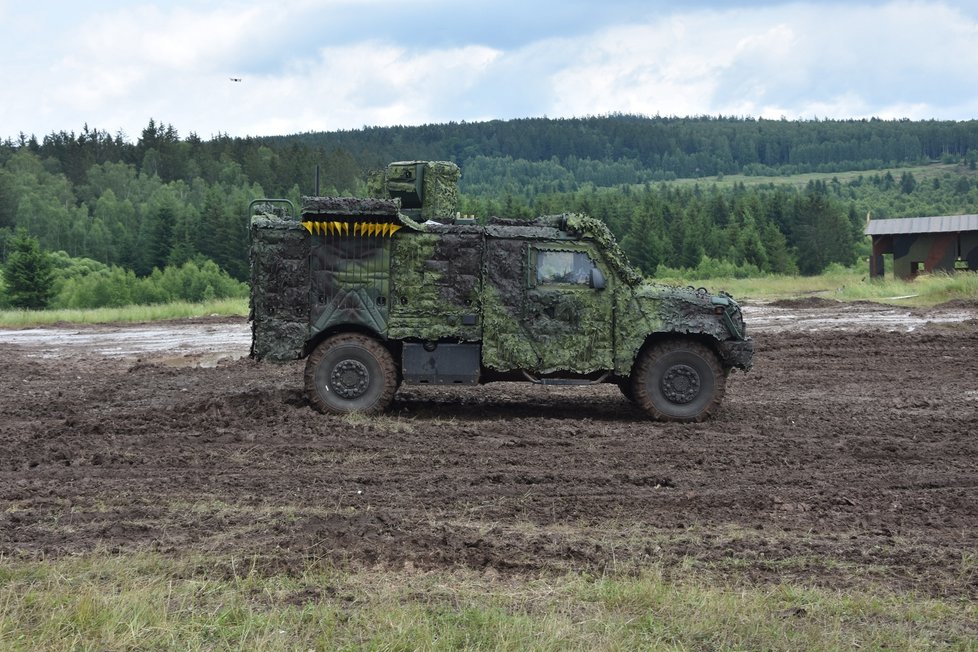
(350, 373)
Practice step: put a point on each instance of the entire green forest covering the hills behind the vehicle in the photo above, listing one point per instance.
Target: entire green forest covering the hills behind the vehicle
(111, 217)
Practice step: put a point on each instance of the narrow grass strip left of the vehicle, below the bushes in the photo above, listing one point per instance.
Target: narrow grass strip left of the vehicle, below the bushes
(130, 314)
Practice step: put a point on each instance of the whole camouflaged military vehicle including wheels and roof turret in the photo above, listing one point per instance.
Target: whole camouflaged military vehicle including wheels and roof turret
(397, 289)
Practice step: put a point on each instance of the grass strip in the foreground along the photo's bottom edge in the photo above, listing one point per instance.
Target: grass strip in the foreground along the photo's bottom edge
(147, 601)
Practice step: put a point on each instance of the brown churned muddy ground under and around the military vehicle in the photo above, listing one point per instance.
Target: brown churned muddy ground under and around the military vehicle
(848, 455)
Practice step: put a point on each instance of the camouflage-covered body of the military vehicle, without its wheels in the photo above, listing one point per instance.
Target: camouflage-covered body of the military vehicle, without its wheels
(365, 265)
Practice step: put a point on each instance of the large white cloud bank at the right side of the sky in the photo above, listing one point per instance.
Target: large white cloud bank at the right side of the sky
(793, 60)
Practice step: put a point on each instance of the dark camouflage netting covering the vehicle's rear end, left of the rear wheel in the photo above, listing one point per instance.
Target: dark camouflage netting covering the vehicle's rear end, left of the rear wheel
(279, 288)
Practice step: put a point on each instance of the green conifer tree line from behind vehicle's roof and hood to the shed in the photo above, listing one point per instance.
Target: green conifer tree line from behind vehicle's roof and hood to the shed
(714, 229)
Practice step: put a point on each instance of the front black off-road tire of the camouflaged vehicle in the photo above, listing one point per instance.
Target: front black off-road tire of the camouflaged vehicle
(678, 380)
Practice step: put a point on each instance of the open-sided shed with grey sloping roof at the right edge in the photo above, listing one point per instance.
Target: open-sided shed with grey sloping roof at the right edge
(924, 244)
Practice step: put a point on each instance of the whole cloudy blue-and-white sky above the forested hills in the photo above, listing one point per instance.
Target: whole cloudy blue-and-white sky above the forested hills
(323, 65)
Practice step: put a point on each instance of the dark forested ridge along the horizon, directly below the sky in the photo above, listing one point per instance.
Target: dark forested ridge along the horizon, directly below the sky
(607, 150)
